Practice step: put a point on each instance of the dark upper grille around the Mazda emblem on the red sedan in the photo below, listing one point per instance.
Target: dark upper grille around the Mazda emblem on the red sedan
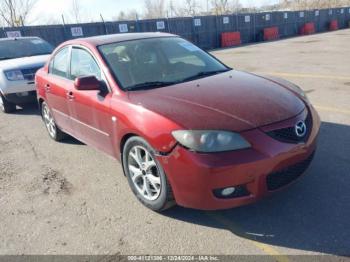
(288, 135)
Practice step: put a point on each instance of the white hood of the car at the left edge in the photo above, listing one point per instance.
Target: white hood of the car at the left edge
(24, 62)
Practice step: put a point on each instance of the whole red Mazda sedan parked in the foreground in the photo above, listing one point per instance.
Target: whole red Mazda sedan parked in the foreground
(187, 129)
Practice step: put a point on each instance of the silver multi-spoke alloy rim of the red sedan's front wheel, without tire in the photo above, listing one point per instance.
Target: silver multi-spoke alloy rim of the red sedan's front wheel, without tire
(144, 173)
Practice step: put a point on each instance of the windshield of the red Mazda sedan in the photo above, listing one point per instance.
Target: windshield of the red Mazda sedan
(158, 62)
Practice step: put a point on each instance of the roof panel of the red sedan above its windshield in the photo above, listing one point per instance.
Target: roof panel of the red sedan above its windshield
(115, 38)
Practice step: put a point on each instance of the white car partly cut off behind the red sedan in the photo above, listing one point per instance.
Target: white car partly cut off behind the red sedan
(20, 58)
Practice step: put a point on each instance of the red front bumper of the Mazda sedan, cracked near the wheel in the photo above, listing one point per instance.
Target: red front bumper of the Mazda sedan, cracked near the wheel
(194, 176)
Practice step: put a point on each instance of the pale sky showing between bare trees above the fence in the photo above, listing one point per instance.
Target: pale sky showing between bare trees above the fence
(51, 10)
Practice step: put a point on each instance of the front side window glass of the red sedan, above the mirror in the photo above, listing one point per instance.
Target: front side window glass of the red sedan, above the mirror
(83, 64)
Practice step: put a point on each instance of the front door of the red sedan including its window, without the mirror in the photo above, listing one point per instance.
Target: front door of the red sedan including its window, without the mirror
(90, 110)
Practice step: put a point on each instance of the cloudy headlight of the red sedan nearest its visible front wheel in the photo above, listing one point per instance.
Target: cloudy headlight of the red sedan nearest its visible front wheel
(207, 141)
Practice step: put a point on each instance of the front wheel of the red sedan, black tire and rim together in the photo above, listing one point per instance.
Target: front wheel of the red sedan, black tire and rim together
(146, 171)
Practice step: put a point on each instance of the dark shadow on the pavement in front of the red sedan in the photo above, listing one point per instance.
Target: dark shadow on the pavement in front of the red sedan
(311, 215)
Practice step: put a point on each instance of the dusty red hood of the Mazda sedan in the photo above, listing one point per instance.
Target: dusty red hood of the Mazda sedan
(234, 101)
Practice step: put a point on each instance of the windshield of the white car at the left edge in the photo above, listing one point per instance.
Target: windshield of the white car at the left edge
(16, 48)
